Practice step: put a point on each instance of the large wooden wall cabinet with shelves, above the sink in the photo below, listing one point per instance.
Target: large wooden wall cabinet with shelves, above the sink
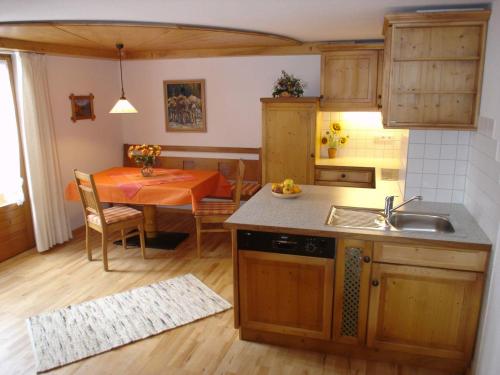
(433, 66)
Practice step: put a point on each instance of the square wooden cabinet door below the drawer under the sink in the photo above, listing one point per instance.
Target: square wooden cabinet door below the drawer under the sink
(424, 311)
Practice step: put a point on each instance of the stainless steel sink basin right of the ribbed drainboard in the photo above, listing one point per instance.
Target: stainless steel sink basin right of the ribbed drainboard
(420, 222)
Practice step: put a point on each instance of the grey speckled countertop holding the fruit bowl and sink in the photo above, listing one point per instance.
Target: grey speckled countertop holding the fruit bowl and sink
(308, 213)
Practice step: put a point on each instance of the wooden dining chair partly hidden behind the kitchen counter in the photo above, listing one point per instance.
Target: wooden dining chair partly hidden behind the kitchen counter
(217, 212)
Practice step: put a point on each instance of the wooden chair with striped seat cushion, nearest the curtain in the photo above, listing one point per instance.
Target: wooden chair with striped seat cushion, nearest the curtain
(108, 220)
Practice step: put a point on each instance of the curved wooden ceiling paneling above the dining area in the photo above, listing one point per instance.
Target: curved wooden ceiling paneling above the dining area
(142, 40)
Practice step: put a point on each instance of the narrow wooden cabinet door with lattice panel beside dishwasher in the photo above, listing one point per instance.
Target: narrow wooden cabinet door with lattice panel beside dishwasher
(352, 284)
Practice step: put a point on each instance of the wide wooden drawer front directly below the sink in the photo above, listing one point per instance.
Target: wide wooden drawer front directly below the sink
(459, 259)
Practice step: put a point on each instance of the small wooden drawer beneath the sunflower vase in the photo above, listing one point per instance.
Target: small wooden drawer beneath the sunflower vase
(345, 176)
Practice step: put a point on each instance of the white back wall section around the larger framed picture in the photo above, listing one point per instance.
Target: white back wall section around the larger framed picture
(233, 88)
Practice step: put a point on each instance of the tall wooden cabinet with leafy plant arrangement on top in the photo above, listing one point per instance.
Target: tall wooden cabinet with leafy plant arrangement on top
(288, 139)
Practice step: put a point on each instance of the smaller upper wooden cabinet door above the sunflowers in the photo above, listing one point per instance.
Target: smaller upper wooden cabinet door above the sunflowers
(349, 80)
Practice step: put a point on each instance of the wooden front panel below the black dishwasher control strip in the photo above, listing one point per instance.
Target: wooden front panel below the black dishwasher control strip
(286, 293)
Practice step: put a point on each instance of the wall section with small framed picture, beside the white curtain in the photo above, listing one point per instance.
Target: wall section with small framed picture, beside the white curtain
(87, 145)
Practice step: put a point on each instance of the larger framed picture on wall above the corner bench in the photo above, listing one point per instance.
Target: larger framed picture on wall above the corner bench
(185, 109)
